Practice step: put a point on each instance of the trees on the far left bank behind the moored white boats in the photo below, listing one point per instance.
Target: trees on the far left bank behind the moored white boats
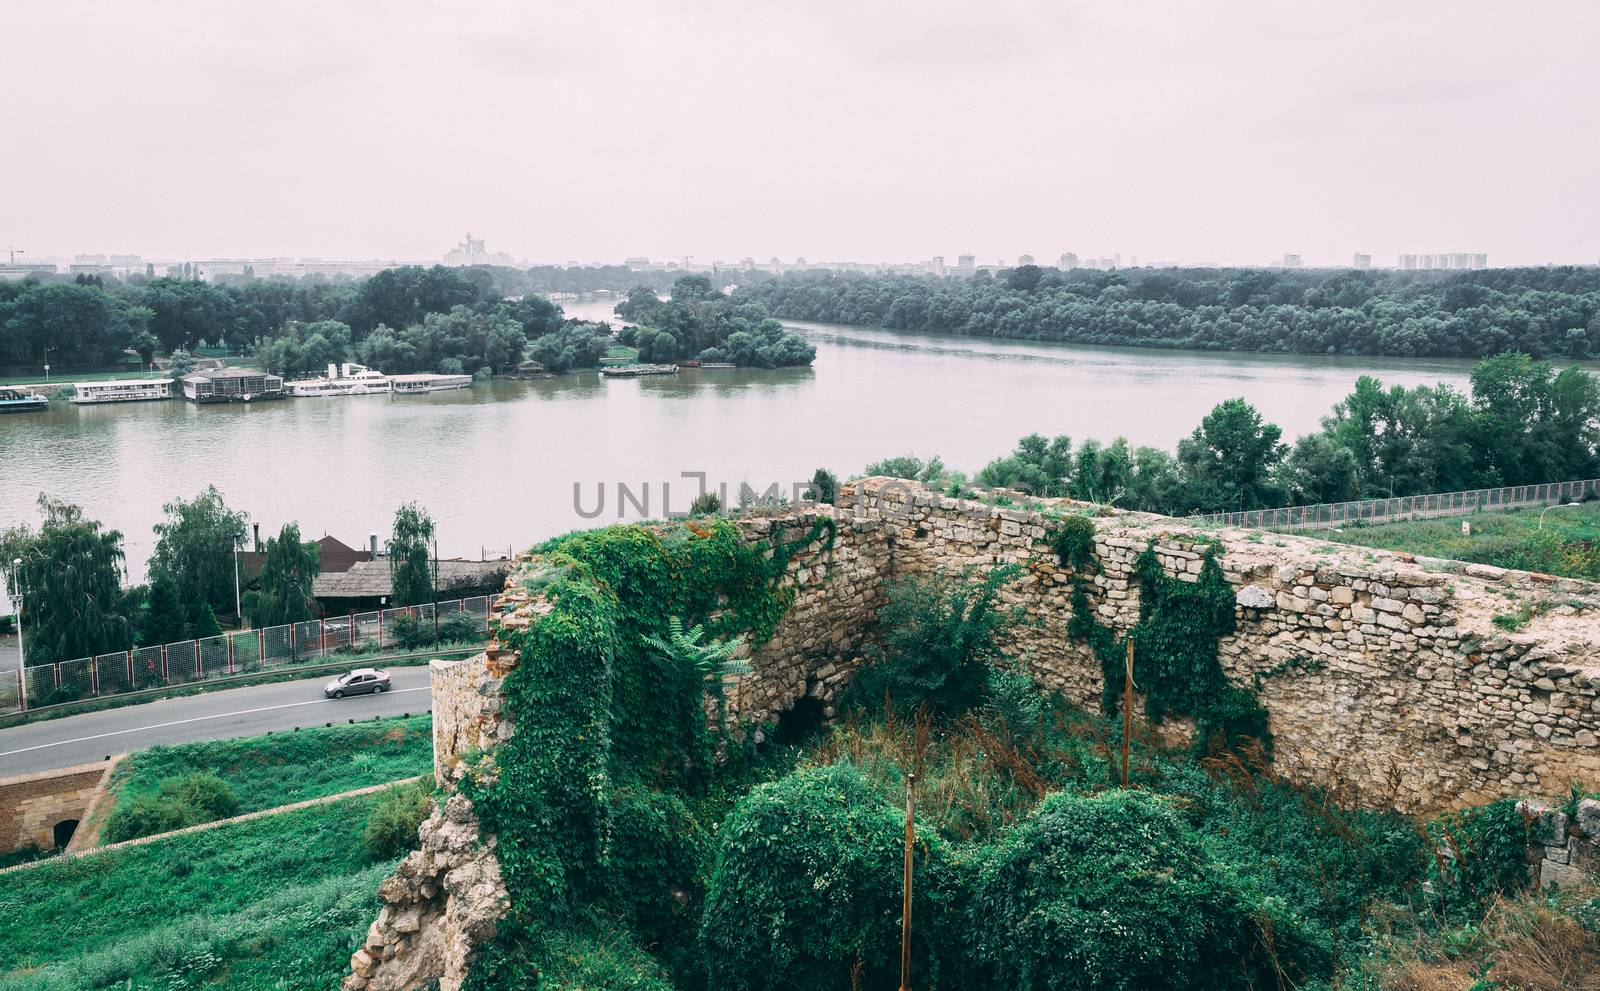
(406, 319)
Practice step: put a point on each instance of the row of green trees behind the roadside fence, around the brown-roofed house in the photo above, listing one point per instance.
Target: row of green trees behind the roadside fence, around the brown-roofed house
(76, 603)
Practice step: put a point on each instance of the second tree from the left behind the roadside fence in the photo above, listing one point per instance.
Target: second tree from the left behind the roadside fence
(194, 550)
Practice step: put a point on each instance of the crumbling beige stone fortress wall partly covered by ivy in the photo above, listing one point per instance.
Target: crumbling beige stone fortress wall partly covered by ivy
(1386, 676)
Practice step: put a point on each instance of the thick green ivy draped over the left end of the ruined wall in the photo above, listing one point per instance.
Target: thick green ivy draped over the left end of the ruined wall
(609, 729)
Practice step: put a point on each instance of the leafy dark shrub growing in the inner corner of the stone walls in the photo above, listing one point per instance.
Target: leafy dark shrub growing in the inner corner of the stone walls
(940, 635)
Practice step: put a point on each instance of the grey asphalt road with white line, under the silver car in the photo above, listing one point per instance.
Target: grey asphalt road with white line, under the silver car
(209, 716)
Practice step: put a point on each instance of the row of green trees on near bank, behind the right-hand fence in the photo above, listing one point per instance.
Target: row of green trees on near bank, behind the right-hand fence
(1524, 423)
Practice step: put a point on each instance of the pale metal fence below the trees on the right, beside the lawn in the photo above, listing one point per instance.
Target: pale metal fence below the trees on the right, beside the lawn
(1409, 508)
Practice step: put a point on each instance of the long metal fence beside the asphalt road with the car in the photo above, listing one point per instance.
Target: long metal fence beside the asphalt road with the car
(226, 656)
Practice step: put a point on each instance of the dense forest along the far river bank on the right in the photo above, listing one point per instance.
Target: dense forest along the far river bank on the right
(1545, 313)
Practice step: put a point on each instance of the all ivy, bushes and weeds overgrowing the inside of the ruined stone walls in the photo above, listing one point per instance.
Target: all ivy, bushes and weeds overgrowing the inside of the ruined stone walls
(647, 849)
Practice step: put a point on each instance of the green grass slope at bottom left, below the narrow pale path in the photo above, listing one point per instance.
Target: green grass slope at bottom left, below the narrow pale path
(276, 904)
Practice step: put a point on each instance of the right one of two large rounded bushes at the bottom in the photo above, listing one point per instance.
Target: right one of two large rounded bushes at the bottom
(1110, 893)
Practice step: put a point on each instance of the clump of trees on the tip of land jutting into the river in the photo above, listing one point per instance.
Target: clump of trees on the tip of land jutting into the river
(703, 323)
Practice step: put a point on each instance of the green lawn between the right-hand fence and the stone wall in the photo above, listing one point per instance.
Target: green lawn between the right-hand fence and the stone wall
(1511, 540)
